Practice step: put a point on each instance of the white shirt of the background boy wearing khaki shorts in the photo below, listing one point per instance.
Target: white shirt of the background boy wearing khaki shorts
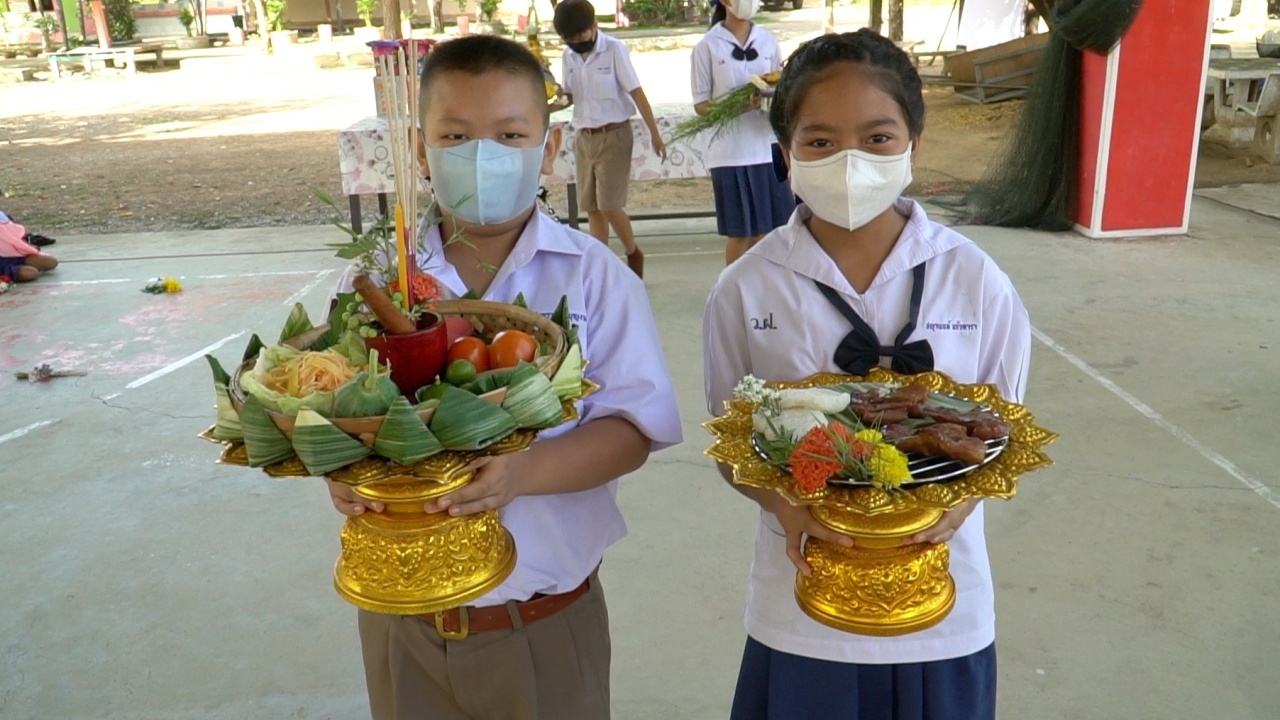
(601, 83)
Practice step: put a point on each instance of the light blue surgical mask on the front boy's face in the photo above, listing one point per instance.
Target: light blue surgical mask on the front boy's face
(486, 183)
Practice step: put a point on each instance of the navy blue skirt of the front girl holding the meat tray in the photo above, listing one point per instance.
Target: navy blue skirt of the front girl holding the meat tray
(779, 686)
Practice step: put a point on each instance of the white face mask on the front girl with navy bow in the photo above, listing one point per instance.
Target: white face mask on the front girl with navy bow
(853, 188)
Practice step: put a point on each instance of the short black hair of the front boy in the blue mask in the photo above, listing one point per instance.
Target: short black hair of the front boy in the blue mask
(477, 54)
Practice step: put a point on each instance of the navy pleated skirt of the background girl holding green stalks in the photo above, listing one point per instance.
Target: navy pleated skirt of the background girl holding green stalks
(751, 200)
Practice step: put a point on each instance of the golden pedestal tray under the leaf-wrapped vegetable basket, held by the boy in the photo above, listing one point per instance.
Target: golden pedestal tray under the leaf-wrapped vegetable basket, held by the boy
(404, 560)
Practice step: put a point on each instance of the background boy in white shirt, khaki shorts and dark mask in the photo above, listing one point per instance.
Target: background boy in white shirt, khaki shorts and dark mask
(605, 92)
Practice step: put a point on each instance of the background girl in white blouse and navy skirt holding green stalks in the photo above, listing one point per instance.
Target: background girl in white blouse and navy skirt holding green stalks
(751, 199)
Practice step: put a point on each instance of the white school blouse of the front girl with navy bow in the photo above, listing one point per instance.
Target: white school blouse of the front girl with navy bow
(766, 317)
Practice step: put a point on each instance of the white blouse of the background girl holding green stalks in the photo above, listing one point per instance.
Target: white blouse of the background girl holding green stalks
(716, 74)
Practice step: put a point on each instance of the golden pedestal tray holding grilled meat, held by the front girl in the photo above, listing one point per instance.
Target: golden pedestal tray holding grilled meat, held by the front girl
(881, 586)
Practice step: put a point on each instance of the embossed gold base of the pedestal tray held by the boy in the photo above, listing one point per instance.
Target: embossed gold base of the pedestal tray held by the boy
(404, 562)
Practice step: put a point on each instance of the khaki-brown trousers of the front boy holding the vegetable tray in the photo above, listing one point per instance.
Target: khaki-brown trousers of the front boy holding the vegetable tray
(554, 669)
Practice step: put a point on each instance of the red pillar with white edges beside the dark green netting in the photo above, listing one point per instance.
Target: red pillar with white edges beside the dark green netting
(1141, 117)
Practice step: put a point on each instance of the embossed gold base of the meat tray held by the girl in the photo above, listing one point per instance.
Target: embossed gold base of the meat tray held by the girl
(877, 591)
